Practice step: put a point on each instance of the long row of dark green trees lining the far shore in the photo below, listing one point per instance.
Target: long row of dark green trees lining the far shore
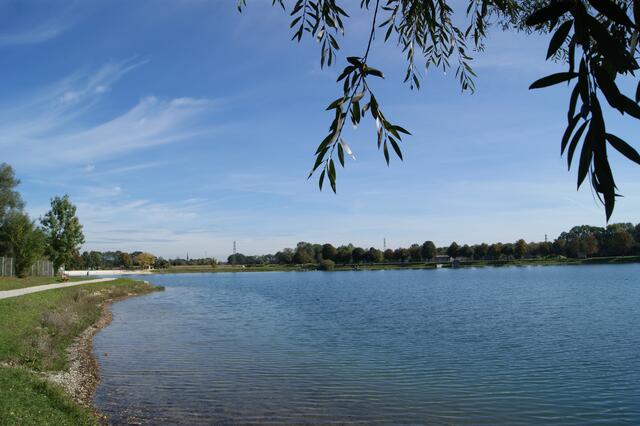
(619, 239)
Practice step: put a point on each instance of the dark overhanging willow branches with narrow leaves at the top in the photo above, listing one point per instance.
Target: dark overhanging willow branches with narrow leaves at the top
(597, 39)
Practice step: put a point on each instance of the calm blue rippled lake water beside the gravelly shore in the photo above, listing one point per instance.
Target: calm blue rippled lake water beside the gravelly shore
(554, 345)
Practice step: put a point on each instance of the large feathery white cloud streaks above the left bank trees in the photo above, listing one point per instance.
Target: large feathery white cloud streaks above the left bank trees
(54, 125)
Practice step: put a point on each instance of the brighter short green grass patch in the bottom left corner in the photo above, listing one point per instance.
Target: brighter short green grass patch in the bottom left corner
(26, 399)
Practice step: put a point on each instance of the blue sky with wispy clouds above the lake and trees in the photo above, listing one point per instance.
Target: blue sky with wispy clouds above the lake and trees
(181, 126)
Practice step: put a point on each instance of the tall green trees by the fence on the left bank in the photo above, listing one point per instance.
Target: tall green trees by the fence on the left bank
(56, 237)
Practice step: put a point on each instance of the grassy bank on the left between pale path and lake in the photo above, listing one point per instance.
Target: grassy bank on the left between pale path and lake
(35, 331)
